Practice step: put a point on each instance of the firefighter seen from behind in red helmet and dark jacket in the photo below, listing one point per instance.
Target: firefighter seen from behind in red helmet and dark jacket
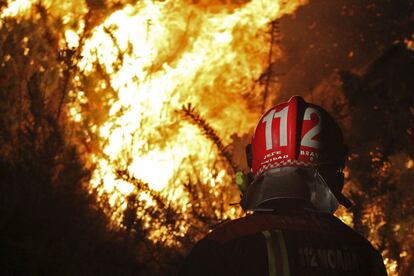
(296, 158)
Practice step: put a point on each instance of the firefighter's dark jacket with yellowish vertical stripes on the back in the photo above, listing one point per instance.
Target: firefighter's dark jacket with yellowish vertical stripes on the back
(293, 243)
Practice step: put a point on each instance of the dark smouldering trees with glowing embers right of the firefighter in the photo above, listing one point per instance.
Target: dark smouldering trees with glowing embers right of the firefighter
(376, 110)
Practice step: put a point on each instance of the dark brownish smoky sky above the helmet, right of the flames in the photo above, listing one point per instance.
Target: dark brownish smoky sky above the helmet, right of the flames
(329, 35)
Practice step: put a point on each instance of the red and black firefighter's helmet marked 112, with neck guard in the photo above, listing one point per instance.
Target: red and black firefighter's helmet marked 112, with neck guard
(295, 143)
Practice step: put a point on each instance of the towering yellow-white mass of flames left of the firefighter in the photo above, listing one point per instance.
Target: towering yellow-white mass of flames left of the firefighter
(176, 53)
